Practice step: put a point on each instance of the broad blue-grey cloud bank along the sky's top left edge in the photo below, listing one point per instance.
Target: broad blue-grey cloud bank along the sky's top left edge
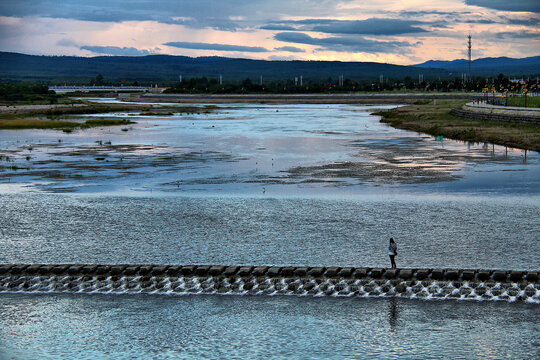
(198, 14)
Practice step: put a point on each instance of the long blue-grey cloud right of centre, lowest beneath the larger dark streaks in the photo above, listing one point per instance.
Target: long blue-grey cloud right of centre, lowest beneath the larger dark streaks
(344, 43)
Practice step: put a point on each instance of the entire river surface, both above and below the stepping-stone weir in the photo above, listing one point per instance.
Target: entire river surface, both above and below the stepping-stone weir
(275, 185)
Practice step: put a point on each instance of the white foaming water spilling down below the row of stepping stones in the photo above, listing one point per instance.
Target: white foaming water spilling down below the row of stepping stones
(432, 290)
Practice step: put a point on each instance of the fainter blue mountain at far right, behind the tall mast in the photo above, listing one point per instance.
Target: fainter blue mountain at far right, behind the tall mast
(489, 66)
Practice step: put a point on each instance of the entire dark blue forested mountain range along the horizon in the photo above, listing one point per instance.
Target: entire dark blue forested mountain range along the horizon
(168, 68)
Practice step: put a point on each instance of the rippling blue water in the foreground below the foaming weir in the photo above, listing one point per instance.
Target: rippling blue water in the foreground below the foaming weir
(235, 327)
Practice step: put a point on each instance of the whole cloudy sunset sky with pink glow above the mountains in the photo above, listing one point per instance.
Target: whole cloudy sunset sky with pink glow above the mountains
(400, 32)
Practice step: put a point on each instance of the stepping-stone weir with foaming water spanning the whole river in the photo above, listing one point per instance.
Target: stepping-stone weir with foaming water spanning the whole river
(272, 280)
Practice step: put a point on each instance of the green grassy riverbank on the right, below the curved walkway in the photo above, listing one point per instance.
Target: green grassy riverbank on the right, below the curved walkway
(434, 118)
